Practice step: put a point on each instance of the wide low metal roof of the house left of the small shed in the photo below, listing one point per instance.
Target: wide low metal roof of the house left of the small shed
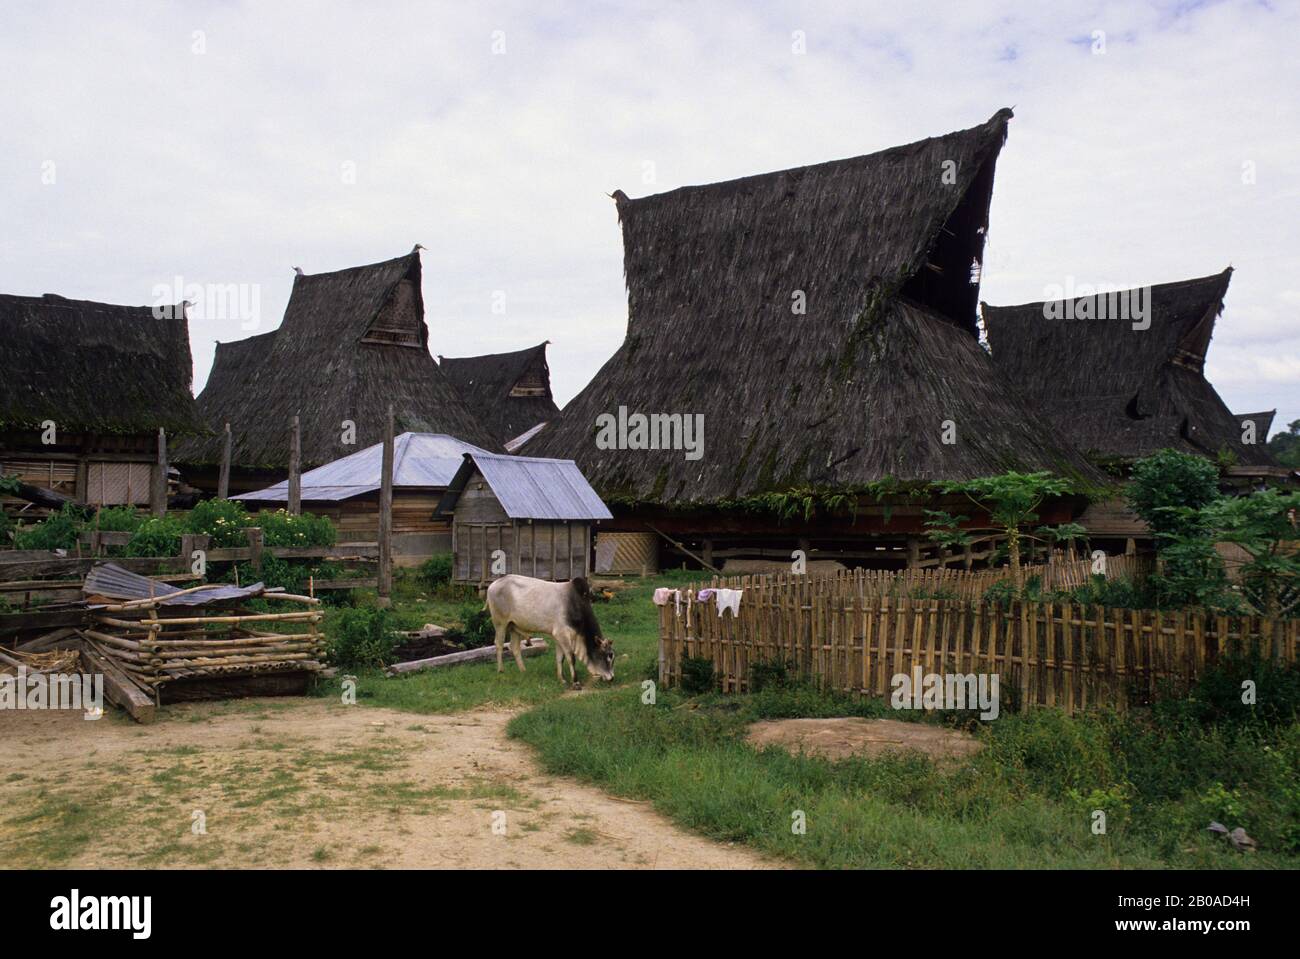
(419, 459)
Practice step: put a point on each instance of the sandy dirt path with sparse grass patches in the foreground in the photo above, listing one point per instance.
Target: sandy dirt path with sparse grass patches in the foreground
(281, 784)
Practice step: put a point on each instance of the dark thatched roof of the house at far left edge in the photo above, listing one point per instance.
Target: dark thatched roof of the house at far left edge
(94, 367)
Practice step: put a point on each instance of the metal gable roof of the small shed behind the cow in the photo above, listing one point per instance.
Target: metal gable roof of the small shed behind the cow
(531, 488)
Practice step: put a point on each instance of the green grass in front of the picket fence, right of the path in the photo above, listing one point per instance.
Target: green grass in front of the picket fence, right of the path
(1026, 801)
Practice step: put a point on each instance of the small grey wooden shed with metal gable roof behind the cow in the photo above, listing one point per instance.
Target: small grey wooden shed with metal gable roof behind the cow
(538, 513)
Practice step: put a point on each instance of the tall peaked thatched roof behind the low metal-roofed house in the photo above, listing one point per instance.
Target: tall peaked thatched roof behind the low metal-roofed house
(350, 344)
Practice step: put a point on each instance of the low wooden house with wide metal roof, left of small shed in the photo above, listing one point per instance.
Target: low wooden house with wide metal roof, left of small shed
(348, 492)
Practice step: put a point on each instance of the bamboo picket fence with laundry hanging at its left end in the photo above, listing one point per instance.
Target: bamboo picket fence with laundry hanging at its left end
(1050, 654)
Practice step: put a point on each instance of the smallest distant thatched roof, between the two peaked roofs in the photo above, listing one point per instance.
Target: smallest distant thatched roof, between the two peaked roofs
(510, 393)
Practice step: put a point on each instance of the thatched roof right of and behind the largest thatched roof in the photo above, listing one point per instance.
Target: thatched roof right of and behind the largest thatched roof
(1119, 392)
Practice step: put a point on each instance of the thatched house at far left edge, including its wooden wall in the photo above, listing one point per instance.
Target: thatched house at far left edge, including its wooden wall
(85, 389)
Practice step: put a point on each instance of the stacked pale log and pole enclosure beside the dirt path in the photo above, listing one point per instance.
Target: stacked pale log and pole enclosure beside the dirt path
(155, 644)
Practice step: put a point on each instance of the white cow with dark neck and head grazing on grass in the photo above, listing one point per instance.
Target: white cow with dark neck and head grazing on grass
(521, 605)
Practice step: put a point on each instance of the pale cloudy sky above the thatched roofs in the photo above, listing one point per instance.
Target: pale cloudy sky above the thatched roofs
(215, 146)
